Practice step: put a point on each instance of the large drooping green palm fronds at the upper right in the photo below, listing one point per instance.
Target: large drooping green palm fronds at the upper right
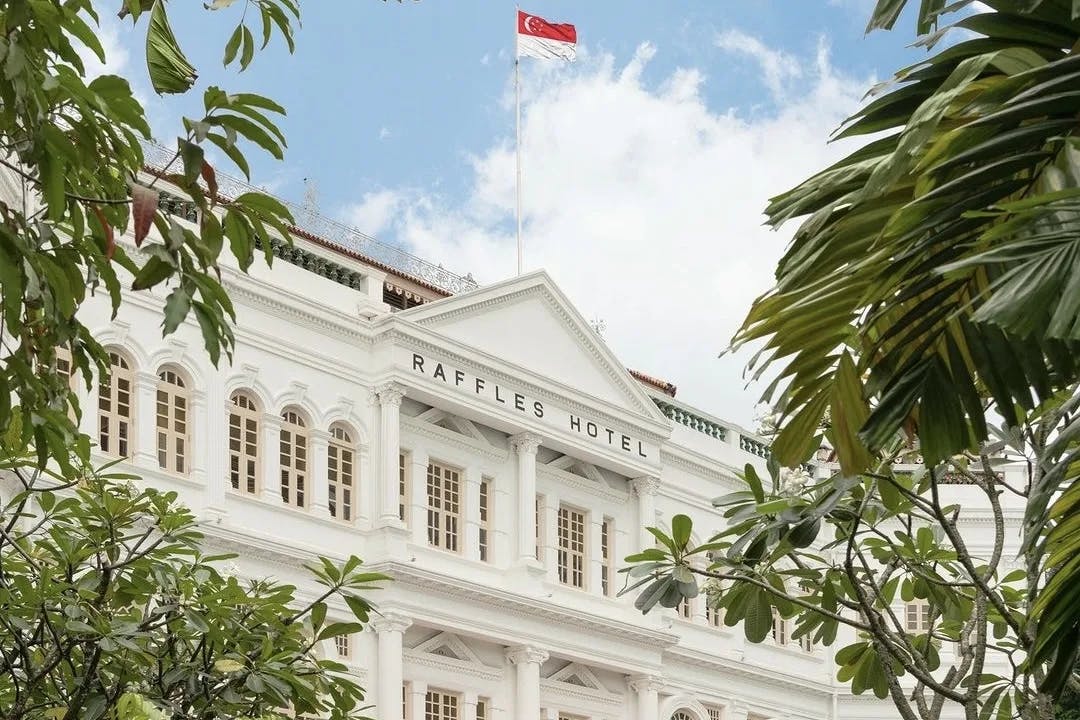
(933, 283)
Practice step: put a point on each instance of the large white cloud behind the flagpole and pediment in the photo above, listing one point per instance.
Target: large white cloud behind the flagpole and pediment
(643, 202)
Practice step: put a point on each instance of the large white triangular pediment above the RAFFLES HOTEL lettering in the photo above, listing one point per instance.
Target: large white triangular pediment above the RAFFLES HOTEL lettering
(530, 322)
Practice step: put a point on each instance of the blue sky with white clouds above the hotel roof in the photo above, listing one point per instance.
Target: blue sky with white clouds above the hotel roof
(647, 162)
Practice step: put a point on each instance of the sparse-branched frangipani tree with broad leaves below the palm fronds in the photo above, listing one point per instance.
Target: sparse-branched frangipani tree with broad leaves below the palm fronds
(839, 555)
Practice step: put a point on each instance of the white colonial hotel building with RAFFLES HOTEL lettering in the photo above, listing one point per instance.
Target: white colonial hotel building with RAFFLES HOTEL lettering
(488, 452)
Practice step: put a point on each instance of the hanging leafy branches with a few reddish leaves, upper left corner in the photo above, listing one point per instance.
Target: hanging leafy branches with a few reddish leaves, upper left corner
(76, 144)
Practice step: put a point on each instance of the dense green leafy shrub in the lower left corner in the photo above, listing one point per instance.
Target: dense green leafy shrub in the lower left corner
(111, 609)
